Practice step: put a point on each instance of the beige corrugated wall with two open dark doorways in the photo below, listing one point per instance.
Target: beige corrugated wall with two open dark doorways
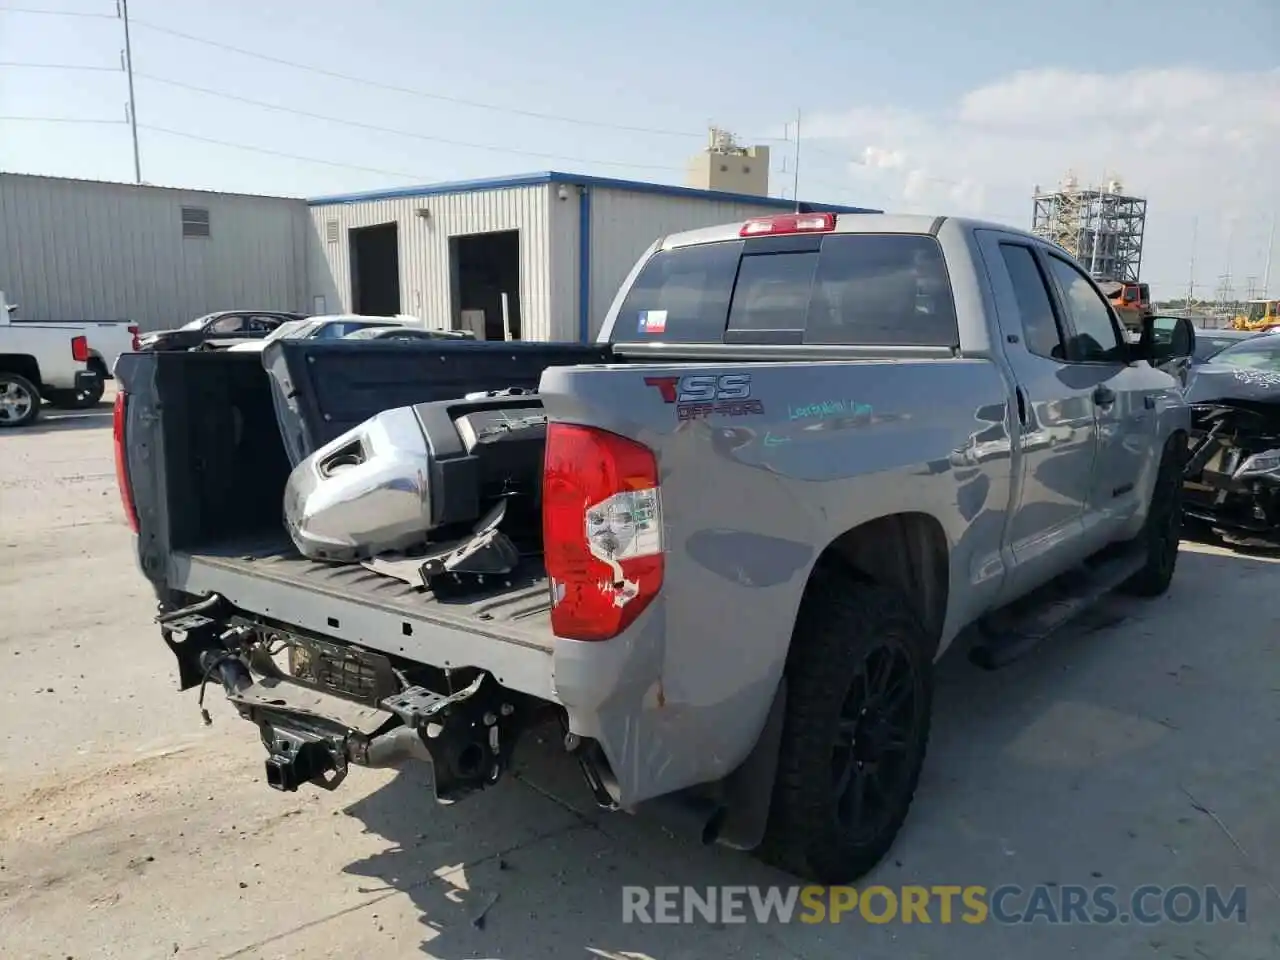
(424, 249)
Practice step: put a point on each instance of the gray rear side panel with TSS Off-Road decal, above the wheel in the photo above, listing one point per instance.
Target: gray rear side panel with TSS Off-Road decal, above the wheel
(755, 490)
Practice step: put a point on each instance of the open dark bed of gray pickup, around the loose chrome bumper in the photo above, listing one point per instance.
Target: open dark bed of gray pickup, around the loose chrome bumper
(211, 440)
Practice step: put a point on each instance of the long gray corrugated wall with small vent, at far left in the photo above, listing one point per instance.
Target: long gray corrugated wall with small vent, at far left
(84, 250)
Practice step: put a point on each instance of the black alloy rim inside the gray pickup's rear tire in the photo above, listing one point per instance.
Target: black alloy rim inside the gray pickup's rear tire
(876, 740)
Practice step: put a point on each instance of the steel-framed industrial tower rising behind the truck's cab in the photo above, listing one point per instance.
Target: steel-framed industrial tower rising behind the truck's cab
(1101, 227)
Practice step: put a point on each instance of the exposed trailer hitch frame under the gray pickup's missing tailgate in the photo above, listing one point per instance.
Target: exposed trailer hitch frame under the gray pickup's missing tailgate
(313, 737)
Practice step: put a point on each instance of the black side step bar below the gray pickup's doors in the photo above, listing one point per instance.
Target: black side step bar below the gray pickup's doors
(1014, 632)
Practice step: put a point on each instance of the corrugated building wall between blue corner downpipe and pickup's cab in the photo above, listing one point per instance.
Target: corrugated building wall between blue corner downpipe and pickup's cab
(625, 223)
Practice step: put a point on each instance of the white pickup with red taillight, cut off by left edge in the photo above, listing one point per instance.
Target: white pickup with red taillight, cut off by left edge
(42, 362)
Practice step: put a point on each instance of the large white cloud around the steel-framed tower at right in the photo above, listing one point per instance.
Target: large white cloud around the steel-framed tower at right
(1200, 145)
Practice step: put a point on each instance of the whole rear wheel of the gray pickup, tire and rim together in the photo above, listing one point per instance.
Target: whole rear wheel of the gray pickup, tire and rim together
(860, 703)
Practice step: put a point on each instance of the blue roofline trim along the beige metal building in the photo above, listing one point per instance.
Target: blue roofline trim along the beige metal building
(537, 180)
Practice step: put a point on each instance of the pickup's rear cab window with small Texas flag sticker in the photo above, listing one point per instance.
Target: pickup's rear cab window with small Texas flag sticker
(834, 289)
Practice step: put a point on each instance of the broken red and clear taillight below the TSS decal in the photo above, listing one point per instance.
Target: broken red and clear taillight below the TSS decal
(602, 531)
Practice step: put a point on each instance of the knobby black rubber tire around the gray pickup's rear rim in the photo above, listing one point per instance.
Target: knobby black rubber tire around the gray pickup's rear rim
(842, 629)
